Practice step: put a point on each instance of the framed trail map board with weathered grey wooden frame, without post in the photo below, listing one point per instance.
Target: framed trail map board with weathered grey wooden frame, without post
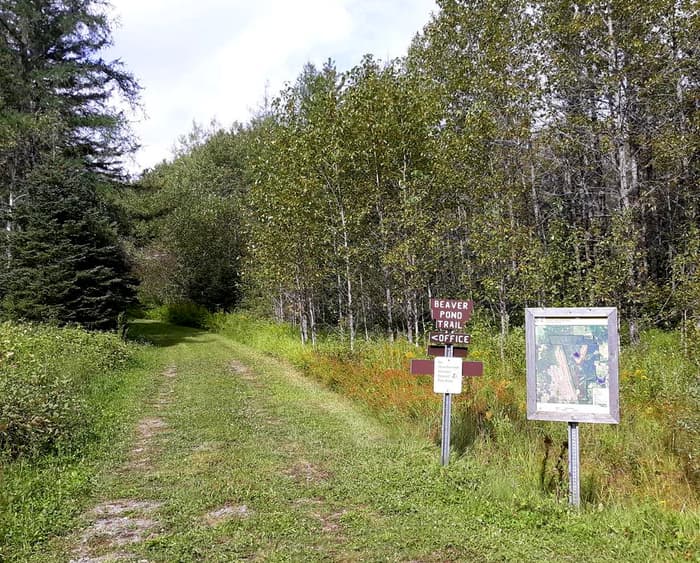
(572, 364)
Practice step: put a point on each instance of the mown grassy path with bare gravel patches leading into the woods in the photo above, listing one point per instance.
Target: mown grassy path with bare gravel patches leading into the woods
(233, 455)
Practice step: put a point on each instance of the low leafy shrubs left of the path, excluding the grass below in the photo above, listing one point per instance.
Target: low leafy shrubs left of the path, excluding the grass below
(50, 382)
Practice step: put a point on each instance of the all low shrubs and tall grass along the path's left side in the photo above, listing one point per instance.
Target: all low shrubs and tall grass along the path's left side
(64, 394)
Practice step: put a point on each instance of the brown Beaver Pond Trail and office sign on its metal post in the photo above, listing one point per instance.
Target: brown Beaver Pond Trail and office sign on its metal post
(447, 368)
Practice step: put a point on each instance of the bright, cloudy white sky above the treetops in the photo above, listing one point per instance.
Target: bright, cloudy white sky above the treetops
(217, 59)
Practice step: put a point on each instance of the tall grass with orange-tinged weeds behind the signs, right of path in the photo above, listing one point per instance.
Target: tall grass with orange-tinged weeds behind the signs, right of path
(653, 455)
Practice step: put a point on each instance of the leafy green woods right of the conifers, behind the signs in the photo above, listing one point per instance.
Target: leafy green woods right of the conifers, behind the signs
(521, 154)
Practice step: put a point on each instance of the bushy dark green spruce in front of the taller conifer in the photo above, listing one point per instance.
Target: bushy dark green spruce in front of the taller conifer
(64, 262)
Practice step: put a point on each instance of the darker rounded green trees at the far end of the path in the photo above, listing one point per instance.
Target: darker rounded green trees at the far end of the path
(189, 222)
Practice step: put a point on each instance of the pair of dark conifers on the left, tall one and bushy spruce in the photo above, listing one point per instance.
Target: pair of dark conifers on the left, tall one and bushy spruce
(61, 141)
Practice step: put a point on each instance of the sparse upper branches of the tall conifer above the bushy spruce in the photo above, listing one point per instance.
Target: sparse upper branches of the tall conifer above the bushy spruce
(50, 55)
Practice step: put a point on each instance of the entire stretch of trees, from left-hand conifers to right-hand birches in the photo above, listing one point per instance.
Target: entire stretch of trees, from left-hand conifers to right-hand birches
(521, 154)
